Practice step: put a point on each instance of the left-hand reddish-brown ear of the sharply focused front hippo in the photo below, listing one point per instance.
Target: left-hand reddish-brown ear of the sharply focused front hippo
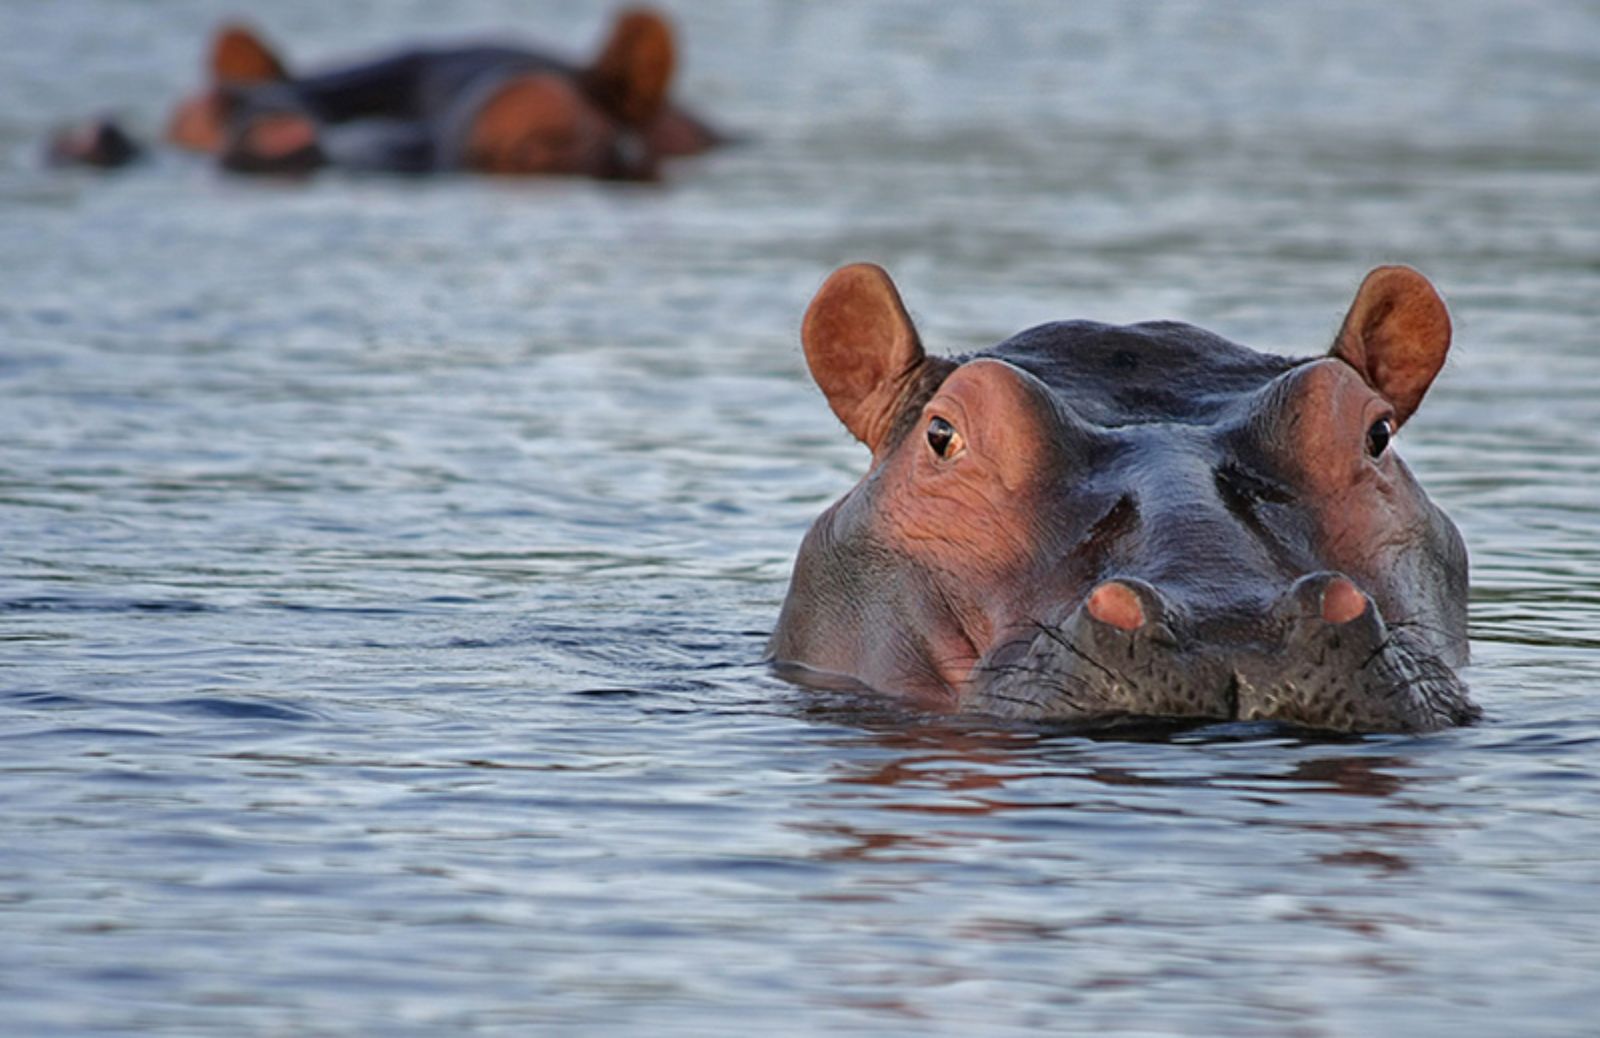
(863, 349)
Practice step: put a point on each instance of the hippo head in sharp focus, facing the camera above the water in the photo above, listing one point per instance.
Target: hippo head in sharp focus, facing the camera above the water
(1095, 524)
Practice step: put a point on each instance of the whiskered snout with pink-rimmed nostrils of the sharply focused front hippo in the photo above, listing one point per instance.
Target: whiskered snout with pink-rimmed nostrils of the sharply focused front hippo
(1319, 657)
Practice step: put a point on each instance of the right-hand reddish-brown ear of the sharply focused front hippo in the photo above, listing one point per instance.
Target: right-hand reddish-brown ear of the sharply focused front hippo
(1396, 335)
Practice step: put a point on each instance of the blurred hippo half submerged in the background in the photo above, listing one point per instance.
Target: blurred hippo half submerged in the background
(473, 108)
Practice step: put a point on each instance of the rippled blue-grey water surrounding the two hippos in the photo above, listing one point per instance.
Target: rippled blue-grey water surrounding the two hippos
(385, 567)
